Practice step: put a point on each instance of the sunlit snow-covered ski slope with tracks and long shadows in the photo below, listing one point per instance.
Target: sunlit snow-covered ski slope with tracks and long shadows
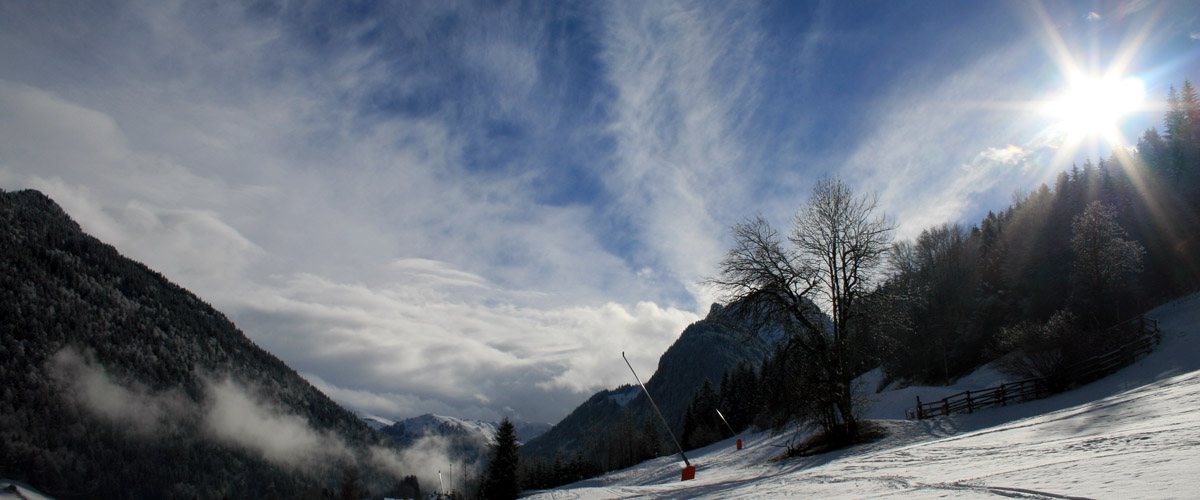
(1132, 436)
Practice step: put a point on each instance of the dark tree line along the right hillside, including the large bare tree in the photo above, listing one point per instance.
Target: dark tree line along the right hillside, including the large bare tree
(1039, 285)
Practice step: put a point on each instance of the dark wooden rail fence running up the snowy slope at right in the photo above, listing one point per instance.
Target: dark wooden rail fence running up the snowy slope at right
(1039, 388)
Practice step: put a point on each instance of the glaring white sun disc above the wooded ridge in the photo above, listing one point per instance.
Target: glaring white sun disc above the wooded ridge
(1096, 107)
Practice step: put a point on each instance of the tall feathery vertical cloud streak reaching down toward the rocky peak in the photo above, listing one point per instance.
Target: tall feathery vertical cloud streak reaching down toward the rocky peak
(681, 82)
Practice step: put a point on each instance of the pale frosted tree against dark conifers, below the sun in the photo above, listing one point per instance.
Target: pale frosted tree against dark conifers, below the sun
(1105, 261)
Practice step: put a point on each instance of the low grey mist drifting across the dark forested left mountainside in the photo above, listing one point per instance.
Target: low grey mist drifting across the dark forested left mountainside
(235, 415)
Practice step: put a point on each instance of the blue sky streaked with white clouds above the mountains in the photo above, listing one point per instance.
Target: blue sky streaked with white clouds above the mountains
(472, 209)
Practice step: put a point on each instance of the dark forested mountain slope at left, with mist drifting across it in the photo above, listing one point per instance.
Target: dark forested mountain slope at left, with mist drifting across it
(116, 383)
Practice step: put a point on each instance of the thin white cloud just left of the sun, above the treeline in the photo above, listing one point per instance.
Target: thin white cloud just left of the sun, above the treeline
(933, 156)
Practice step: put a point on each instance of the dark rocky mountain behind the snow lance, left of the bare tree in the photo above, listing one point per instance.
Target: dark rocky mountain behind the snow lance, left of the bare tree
(705, 351)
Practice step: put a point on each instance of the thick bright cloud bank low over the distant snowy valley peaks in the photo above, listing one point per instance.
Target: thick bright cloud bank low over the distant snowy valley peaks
(470, 351)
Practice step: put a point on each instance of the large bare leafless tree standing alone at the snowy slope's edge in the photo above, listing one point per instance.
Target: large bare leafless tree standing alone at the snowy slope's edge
(837, 245)
